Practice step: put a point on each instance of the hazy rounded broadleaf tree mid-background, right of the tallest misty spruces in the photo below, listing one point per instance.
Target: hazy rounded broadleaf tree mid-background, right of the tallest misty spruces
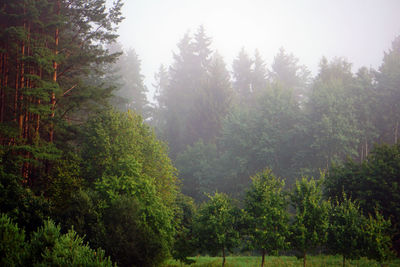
(268, 133)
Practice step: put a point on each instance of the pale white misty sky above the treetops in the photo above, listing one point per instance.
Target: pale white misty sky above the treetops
(359, 30)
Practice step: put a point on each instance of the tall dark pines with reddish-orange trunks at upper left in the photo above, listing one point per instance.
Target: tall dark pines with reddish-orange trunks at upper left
(47, 49)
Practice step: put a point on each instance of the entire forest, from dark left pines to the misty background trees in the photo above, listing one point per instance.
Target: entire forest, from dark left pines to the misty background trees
(227, 158)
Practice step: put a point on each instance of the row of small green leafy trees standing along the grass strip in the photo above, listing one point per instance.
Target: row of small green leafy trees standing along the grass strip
(265, 223)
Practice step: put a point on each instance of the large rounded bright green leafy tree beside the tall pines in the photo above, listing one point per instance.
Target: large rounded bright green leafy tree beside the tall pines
(126, 201)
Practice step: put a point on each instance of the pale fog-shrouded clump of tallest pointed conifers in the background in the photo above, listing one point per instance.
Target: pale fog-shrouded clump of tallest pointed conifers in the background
(194, 96)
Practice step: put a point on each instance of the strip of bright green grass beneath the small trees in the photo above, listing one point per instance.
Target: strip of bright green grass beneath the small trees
(282, 261)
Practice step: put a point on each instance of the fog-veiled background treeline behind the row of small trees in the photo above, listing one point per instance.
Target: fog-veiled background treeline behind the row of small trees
(223, 127)
